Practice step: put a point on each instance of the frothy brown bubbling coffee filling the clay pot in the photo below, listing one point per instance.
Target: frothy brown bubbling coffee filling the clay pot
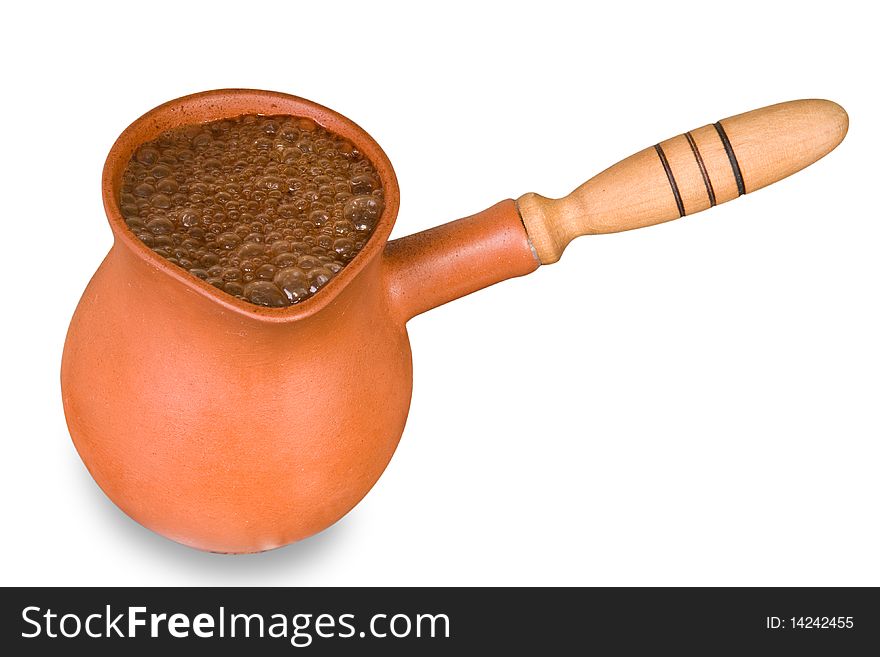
(265, 208)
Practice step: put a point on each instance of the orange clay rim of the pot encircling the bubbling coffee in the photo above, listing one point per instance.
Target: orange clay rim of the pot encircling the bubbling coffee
(218, 104)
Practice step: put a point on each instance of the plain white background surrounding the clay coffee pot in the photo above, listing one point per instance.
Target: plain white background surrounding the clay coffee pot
(690, 404)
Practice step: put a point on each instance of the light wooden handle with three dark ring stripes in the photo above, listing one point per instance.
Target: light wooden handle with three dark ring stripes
(688, 173)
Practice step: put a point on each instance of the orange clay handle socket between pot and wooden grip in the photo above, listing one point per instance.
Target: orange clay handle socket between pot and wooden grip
(428, 269)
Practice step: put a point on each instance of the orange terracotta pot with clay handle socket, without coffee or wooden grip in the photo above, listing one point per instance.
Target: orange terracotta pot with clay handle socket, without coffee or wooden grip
(234, 428)
